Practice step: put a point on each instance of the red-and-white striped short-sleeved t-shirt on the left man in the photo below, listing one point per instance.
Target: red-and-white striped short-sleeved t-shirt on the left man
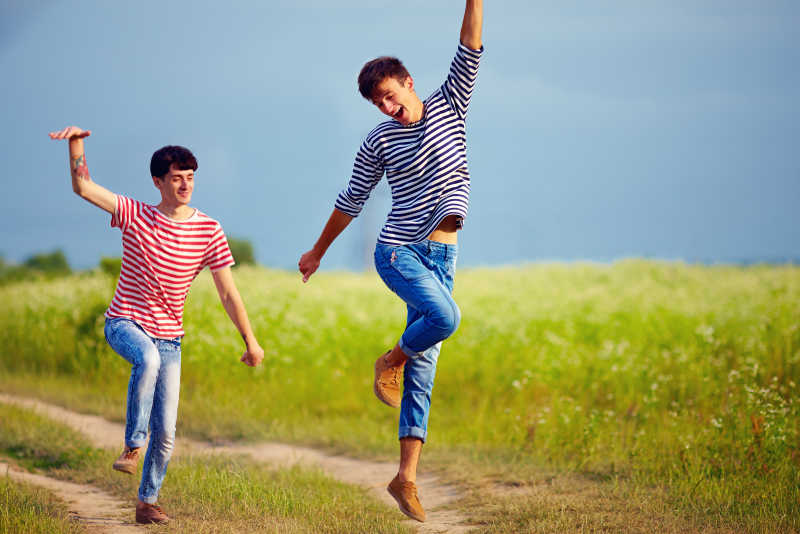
(160, 259)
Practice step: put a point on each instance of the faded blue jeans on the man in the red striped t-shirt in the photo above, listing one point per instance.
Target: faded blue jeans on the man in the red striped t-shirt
(152, 397)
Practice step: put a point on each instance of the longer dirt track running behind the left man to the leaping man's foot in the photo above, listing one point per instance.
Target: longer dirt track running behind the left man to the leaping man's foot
(373, 475)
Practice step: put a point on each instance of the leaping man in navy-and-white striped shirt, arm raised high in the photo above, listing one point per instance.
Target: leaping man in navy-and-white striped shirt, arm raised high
(422, 151)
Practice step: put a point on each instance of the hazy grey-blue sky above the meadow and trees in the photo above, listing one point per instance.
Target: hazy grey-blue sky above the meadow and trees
(657, 129)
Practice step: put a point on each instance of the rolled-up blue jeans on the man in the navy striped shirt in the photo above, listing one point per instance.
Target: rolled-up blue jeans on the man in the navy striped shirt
(422, 275)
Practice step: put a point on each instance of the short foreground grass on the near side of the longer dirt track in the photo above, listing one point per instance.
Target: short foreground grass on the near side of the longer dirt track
(205, 494)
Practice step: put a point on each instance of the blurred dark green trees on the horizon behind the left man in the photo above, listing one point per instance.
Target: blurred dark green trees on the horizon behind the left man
(48, 265)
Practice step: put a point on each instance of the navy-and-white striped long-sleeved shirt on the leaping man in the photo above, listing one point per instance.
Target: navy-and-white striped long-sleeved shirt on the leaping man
(425, 162)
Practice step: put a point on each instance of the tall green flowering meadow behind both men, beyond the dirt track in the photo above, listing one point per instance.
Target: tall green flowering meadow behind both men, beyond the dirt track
(660, 376)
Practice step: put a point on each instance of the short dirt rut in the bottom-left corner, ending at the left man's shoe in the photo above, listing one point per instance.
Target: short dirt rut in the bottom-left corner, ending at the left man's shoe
(97, 510)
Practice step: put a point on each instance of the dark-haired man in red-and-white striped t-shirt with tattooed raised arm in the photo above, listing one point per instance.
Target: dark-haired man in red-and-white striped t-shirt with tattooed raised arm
(164, 248)
